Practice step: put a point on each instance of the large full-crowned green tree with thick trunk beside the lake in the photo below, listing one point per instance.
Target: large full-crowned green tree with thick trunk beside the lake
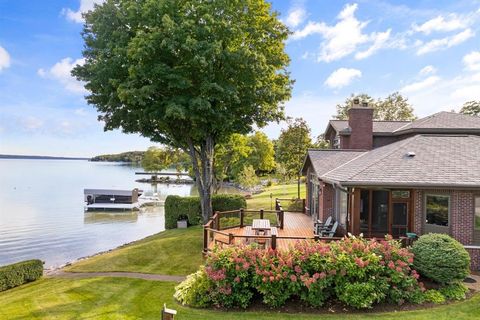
(186, 73)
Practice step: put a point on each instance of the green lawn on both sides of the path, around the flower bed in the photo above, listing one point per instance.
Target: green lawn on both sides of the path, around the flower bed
(176, 252)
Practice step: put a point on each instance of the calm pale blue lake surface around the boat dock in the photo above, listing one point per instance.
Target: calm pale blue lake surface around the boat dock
(42, 210)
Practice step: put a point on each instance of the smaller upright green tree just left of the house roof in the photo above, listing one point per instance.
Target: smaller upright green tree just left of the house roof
(292, 146)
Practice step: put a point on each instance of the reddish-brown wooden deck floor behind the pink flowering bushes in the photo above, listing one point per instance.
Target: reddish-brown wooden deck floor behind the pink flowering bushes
(297, 226)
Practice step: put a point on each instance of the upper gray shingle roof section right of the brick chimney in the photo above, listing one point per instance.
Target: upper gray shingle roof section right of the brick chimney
(443, 121)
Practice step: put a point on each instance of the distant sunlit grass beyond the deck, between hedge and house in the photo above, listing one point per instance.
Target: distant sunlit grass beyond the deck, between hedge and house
(266, 199)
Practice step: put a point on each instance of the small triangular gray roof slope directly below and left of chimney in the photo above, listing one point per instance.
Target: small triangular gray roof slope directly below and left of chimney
(324, 160)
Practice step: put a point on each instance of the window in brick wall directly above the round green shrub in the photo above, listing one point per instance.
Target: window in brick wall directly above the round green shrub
(437, 209)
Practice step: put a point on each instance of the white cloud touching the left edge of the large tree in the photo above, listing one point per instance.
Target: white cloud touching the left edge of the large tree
(61, 72)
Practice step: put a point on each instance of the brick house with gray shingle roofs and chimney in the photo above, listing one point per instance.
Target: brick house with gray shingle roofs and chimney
(394, 177)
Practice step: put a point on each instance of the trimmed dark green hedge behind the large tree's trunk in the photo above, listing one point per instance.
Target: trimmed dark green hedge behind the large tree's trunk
(176, 207)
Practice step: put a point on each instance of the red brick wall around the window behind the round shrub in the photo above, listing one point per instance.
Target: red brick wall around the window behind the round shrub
(461, 222)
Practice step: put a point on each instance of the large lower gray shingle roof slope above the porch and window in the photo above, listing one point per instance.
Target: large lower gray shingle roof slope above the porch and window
(439, 161)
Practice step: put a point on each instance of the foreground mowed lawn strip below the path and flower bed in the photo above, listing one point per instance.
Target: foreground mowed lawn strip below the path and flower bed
(122, 298)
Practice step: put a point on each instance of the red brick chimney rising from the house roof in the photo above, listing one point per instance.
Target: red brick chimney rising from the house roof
(360, 121)
